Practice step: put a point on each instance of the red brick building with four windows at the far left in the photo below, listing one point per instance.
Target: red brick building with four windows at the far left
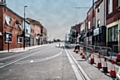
(11, 27)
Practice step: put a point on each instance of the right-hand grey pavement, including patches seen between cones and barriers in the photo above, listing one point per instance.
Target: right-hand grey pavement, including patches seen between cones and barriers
(91, 70)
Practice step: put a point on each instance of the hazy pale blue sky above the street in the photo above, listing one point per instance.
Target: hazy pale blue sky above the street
(57, 16)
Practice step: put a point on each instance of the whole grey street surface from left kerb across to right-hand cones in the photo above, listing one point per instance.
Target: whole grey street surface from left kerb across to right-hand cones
(49, 62)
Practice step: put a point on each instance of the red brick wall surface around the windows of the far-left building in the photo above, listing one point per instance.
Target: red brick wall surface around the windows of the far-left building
(13, 29)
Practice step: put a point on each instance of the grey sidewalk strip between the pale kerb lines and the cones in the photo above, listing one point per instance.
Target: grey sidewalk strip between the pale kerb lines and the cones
(91, 70)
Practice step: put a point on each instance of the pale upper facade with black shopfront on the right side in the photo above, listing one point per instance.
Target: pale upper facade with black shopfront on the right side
(100, 28)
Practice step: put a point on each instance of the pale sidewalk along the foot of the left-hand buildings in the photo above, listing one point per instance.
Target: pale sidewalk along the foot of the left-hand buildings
(15, 50)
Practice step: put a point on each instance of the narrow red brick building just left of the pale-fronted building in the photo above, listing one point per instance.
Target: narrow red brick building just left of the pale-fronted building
(90, 24)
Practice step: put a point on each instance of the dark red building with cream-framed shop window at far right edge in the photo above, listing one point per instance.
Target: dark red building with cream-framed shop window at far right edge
(113, 23)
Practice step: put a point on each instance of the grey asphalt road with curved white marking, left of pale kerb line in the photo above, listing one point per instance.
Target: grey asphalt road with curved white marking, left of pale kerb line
(44, 63)
